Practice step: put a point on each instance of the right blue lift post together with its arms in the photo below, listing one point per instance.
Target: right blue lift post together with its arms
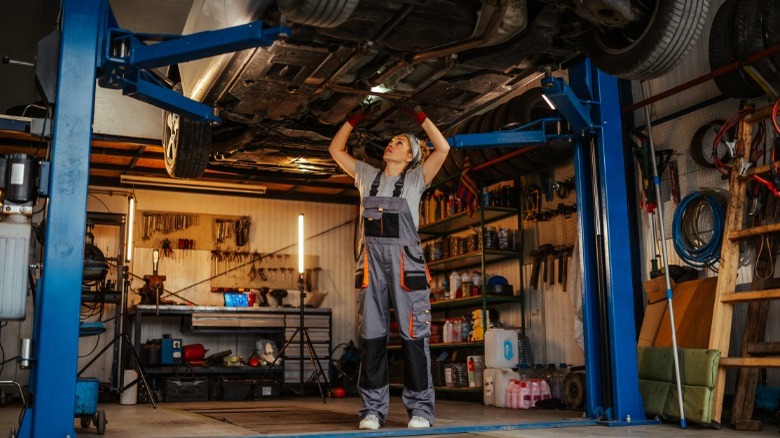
(591, 105)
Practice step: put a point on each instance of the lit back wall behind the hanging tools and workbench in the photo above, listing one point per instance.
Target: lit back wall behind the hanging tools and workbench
(274, 226)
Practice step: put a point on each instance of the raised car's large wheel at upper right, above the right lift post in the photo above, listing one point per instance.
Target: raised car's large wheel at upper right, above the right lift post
(648, 50)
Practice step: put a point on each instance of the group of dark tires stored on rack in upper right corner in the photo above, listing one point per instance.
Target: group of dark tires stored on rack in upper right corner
(742, 28)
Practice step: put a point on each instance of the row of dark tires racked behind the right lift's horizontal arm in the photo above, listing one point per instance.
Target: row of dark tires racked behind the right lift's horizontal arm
(519, 111)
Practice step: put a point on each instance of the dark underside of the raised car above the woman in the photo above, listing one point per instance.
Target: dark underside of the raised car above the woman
(464, 62)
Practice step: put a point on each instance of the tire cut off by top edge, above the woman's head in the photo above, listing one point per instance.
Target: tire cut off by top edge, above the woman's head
(318, 13)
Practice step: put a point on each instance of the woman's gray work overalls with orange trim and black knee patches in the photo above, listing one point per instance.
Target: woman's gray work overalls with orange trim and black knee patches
(391, 272)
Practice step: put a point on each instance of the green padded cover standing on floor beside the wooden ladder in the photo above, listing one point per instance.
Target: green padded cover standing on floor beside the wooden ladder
(658, 385)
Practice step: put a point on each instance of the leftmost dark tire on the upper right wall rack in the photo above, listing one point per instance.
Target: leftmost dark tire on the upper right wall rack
(722, 51)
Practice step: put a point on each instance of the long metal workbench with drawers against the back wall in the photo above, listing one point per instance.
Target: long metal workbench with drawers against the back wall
(280, 322)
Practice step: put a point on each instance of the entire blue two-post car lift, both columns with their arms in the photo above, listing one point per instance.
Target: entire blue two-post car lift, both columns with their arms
(90, 36)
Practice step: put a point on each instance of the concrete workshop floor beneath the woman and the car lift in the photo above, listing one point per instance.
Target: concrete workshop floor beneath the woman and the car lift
(308, 415)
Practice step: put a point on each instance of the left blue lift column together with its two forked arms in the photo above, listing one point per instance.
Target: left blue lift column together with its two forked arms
(93, 47)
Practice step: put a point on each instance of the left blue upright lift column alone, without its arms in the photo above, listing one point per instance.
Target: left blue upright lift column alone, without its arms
(56, 325)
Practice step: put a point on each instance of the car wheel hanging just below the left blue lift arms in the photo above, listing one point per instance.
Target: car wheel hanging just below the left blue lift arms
(186, 145)
